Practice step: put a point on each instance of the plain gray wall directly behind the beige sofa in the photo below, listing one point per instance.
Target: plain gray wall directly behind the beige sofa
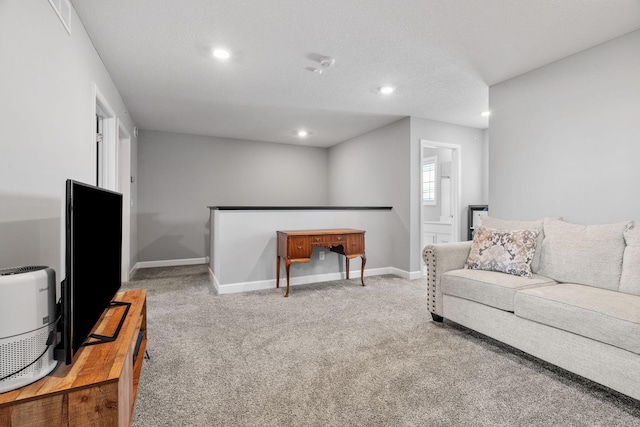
(565, 138)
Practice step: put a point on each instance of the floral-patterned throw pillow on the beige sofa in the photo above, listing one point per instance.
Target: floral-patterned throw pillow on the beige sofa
(504, 251)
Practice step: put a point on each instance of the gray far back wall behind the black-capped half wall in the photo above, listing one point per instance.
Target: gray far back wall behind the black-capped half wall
(180, 175)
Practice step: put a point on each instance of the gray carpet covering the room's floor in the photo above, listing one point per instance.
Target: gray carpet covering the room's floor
(338, 354)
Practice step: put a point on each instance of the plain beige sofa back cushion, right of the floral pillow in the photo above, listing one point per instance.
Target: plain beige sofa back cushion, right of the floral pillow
(585, 254)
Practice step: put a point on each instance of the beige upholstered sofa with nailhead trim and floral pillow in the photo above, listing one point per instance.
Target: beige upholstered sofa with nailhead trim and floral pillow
(577, 307)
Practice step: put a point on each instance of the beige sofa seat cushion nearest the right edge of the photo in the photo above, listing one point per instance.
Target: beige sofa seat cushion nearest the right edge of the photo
(600, 314)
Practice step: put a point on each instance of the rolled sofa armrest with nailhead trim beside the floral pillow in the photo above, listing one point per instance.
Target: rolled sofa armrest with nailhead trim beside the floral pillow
(439, 259)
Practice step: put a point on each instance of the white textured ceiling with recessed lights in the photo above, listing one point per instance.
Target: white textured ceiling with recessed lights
(441, 55)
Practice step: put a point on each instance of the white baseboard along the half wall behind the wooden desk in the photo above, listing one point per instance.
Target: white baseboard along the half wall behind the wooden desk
(231, 288)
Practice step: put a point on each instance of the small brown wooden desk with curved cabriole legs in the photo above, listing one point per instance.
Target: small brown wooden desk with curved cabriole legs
(297, 245)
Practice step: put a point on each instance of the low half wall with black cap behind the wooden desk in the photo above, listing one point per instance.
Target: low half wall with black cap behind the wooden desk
(244, 246)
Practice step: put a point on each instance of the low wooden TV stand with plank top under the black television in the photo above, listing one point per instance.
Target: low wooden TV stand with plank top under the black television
(99, 387)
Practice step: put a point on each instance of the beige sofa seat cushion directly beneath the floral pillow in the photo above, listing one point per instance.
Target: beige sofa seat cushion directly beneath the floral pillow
(488, 287)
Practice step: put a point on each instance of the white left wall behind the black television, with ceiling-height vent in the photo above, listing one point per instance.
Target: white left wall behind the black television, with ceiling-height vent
(47, 132)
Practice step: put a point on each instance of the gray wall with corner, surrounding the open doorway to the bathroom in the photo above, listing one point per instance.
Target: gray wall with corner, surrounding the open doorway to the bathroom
(383, 167)
